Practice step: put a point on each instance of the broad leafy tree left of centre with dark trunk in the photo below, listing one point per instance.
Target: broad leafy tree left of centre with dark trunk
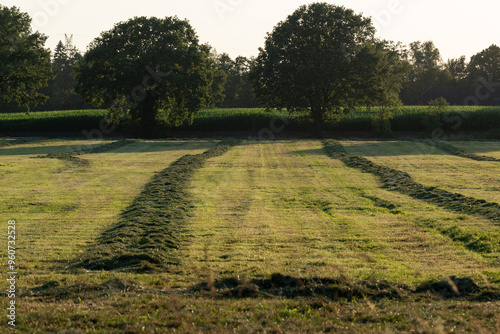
(151, 70)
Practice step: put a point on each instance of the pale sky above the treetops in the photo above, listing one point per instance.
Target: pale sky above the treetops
(239, 27)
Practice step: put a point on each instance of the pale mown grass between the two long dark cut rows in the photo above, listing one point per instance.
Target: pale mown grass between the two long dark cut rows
(323, 217)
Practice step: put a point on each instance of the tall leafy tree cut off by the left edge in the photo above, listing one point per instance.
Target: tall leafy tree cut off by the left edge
(24, 62)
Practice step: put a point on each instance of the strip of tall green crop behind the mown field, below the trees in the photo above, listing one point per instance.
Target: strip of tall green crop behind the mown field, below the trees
(483, 121)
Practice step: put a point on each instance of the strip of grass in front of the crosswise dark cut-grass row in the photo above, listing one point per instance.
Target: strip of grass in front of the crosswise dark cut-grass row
(130, 312)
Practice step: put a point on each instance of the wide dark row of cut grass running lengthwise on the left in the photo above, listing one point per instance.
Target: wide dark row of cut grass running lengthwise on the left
(152, 227)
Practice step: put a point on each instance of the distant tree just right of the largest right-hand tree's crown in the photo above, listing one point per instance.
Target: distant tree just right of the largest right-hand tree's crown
(427, 70)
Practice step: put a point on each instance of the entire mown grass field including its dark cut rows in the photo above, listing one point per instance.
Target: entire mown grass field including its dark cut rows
(253, 236)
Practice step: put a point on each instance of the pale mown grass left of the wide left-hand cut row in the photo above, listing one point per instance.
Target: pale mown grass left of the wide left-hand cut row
(62, 210)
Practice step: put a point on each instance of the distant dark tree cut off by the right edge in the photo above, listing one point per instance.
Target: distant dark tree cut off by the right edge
(485, 65)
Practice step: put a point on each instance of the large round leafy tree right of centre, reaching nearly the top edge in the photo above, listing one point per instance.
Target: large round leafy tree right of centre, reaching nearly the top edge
(324, 59)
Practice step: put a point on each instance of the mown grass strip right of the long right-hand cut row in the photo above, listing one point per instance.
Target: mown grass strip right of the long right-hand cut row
(434, 167)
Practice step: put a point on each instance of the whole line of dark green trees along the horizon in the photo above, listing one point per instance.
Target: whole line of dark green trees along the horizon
(322, 59)
